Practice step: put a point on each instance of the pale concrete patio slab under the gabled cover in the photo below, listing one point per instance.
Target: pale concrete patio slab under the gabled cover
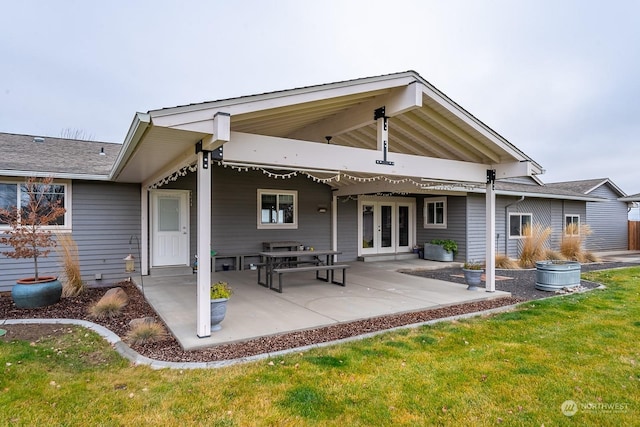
(373, 289)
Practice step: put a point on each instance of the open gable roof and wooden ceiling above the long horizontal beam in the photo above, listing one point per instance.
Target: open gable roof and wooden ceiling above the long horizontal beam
(422, 122)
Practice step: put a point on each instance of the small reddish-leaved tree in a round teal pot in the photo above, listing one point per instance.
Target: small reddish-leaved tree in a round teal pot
(29, 239)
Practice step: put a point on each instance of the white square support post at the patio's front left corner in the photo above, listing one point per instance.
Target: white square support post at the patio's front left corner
(203, 306)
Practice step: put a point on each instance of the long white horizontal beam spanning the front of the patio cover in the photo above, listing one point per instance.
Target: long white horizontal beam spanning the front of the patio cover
(281, 152)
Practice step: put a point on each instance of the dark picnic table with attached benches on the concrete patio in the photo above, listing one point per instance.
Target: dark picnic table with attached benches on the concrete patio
(283, 262)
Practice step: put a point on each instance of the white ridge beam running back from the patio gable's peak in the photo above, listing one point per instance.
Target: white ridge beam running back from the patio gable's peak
(397, 102)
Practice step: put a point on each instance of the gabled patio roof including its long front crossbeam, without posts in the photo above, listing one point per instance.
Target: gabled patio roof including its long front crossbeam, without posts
(423, 123)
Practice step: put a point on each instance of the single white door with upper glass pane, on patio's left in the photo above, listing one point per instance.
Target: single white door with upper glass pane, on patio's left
(170, 228)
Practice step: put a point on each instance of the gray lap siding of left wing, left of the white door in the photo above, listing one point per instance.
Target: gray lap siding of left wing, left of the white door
(104, 217)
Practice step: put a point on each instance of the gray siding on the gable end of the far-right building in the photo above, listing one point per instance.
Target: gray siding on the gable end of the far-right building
(607, 220)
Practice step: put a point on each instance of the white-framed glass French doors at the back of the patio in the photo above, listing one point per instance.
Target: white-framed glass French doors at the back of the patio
(386, 225)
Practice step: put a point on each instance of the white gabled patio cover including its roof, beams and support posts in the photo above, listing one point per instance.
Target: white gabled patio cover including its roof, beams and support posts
(393, 131)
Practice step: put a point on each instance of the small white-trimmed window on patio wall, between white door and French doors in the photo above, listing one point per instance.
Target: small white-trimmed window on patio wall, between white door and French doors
(277, 209)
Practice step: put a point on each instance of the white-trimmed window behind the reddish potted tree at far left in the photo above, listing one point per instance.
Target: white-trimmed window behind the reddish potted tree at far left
(13, 194)
